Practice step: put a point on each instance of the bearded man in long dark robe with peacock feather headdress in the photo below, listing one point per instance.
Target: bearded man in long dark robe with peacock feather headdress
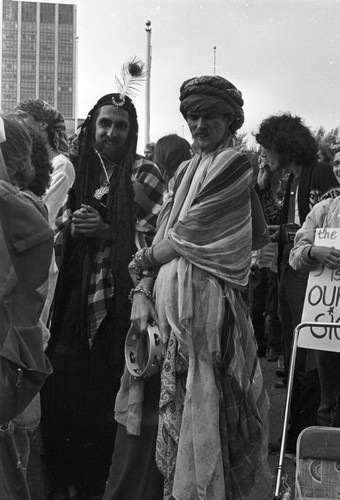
(110, 213)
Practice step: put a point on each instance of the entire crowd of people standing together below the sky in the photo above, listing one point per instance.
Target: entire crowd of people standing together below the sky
(207, 244)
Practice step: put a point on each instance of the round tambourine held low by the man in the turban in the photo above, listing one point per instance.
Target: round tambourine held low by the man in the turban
(143, 351)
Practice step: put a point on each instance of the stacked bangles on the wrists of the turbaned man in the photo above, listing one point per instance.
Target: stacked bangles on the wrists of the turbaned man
(145, 266)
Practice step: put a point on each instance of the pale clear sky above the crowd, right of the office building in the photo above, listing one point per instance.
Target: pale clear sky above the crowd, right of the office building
(284, 56)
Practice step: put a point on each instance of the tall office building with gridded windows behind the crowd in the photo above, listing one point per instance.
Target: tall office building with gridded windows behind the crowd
(38, 53)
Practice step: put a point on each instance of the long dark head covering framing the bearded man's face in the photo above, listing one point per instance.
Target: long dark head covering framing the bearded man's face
(120, 212)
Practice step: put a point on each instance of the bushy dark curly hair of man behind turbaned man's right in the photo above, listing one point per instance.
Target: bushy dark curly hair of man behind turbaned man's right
(289, 137)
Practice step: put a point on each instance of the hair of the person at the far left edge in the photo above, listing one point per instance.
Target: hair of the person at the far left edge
(16, 149)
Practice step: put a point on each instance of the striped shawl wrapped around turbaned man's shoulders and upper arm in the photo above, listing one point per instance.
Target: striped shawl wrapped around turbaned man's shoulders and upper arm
(210, 219)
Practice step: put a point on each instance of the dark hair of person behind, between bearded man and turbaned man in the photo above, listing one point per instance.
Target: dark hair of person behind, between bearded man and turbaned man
(170, 151)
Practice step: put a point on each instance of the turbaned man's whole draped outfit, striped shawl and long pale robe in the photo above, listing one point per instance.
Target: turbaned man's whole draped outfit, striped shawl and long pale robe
(213, 428)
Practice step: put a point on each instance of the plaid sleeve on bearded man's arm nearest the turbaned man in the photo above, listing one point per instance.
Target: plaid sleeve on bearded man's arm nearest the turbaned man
(149, 188)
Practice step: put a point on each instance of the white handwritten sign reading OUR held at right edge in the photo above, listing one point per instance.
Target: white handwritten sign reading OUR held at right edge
(322, 299)
